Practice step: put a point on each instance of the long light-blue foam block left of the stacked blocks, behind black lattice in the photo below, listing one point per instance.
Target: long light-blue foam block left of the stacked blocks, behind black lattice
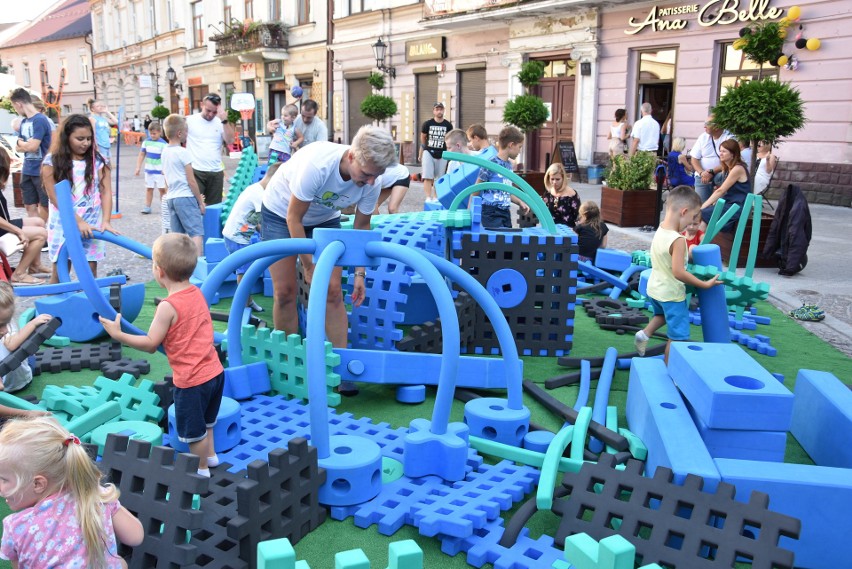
(657, 414)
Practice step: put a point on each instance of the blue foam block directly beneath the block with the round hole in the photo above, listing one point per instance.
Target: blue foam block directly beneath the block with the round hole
(768, 446)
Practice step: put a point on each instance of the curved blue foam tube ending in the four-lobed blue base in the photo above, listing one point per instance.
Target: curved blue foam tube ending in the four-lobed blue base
(449, 325)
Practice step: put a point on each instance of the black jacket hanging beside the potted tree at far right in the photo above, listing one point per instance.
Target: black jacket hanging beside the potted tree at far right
(790, 232)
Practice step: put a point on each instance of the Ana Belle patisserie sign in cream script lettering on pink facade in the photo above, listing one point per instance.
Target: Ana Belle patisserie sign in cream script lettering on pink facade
(714, 12)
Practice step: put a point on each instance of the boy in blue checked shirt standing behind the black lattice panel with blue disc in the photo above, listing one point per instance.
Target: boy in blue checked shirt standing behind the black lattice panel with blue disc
(496, 204)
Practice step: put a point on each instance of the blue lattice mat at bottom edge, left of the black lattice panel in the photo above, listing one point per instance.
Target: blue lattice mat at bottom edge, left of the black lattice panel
(484, 547)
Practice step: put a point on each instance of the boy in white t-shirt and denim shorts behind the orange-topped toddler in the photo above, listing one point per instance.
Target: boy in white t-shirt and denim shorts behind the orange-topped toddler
(186, 204)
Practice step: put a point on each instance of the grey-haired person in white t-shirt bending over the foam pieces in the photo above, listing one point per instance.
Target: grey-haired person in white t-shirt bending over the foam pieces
(308, 192)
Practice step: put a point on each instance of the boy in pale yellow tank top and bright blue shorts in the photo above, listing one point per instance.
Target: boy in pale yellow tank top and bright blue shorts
(669, 277)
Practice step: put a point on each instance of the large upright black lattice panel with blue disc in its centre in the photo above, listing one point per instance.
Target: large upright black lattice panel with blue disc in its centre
(533, 277)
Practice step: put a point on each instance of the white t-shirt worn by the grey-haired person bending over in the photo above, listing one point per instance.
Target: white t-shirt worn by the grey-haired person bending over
(313, 175)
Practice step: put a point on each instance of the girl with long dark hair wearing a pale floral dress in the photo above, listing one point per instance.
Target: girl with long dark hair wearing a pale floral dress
(73, 157)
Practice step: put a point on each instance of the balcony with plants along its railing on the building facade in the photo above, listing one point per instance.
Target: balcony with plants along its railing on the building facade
(251, 43)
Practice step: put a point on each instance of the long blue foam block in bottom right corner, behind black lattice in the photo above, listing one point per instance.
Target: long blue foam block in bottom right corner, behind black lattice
(821, 497)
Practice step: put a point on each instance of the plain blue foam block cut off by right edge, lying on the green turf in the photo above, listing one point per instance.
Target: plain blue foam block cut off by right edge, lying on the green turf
(822, 418)
